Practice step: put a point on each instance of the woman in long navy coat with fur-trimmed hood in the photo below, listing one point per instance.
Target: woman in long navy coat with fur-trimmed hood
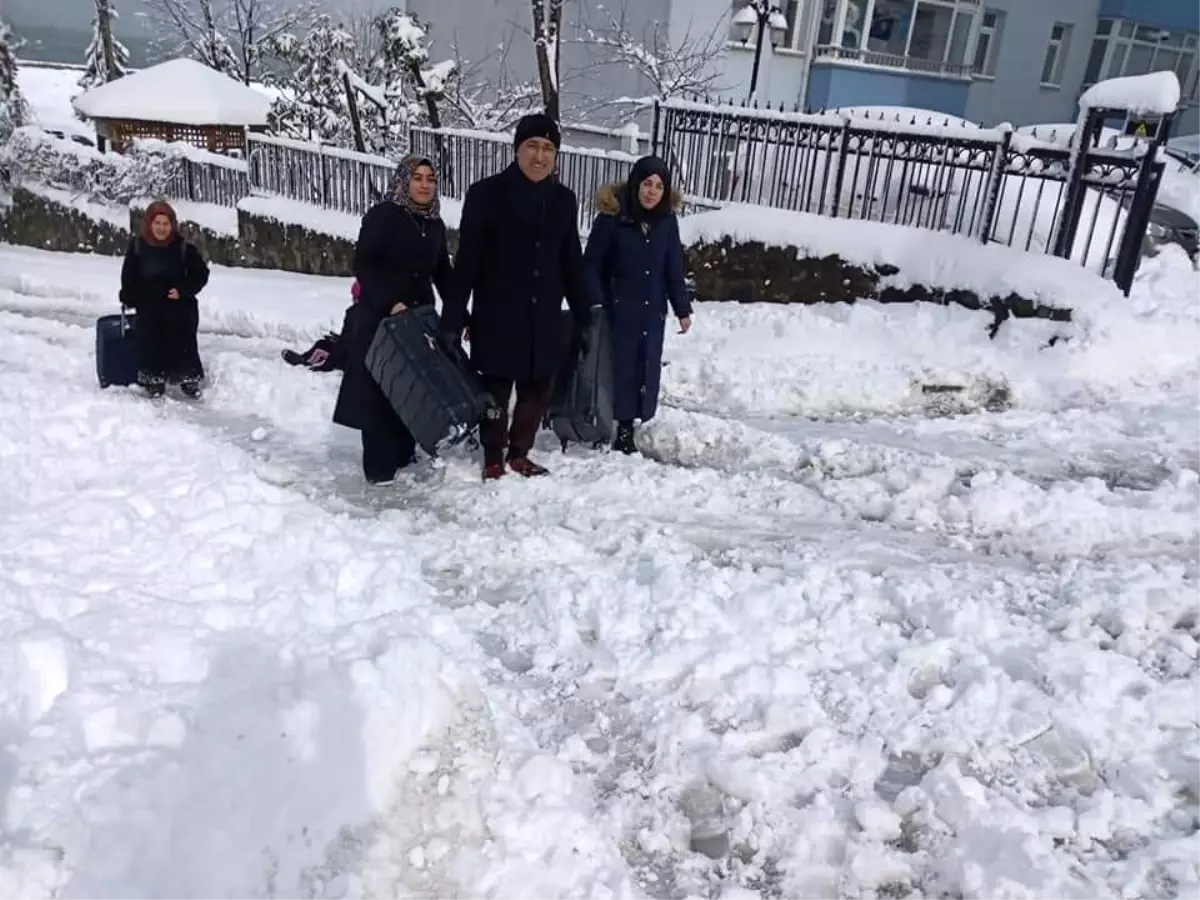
(635, 262)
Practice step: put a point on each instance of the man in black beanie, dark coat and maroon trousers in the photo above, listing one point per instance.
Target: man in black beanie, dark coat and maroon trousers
(519, 256)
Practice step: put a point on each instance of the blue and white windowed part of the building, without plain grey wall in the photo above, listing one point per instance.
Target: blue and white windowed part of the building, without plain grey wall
(1024, 62)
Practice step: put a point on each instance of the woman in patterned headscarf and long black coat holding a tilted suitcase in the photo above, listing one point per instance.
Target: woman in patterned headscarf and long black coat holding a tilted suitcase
(401, 255)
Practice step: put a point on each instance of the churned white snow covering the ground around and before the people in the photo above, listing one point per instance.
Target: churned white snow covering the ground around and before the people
(844, 643)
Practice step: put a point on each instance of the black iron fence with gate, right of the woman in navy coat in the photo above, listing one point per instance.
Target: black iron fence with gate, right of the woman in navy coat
(986, 184)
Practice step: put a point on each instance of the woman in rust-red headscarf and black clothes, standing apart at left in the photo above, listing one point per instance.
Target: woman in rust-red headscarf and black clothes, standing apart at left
(161, 279)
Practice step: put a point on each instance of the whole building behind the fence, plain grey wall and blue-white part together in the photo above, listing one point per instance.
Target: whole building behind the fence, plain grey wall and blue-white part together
(1023, 62)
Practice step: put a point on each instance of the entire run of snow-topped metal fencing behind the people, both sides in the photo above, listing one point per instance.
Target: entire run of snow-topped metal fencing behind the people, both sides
(1083, 203)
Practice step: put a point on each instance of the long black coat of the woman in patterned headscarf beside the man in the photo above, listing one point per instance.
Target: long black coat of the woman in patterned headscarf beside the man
(398, 260)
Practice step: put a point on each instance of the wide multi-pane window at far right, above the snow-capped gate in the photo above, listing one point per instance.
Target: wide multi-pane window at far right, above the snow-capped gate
(1125, 49)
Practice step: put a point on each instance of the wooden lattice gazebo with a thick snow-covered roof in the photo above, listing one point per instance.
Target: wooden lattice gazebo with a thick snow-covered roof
(181, 100)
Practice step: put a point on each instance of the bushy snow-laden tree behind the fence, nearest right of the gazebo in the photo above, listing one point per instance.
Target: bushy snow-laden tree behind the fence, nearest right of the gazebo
(314, 105)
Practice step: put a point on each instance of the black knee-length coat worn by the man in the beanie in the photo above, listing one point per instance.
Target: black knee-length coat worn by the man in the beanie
(518, 265)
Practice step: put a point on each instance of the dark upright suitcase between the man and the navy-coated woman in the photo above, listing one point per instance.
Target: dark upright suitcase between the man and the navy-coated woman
(581, 409)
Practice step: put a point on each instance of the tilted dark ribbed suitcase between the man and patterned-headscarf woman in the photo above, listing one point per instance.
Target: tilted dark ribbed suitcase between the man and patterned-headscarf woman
(437, 397)
